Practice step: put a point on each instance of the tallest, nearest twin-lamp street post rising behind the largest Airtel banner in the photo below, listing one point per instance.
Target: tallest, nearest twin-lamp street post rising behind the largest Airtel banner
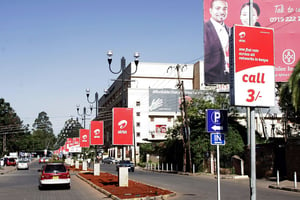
(122, 70)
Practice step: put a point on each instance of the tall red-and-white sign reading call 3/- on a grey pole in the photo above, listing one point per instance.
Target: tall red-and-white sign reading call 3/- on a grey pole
(252, 70)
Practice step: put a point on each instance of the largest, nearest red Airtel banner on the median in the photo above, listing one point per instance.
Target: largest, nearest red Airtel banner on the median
(122, 126)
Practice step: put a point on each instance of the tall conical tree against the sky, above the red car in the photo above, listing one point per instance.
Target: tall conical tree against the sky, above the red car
(42, 135)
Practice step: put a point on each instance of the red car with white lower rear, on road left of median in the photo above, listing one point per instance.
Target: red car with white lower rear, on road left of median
(53, 174)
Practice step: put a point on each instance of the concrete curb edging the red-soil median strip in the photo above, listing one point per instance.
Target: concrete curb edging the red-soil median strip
(117, 198)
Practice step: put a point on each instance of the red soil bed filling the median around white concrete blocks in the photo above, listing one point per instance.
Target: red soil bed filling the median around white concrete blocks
(109, 183)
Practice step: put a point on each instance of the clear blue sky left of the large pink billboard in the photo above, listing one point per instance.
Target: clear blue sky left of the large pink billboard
(52, 50)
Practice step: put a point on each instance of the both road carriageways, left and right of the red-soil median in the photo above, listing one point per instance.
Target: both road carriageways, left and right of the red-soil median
(23, 185)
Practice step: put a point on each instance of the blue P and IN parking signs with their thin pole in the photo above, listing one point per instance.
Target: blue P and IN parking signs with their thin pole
(216, 123)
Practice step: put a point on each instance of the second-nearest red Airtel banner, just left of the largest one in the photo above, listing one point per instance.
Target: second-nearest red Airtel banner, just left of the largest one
(97, 133)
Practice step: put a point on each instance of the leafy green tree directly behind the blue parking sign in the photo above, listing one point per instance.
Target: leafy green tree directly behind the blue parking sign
(200, 139)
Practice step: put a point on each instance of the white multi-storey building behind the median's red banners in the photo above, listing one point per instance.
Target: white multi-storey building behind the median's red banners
(152, 92)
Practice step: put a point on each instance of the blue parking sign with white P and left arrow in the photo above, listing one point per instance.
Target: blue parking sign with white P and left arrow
(216, 121)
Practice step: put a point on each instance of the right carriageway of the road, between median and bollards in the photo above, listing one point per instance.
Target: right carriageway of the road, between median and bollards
(205, 187)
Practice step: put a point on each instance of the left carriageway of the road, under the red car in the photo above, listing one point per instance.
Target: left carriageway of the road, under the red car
(23, 185)
